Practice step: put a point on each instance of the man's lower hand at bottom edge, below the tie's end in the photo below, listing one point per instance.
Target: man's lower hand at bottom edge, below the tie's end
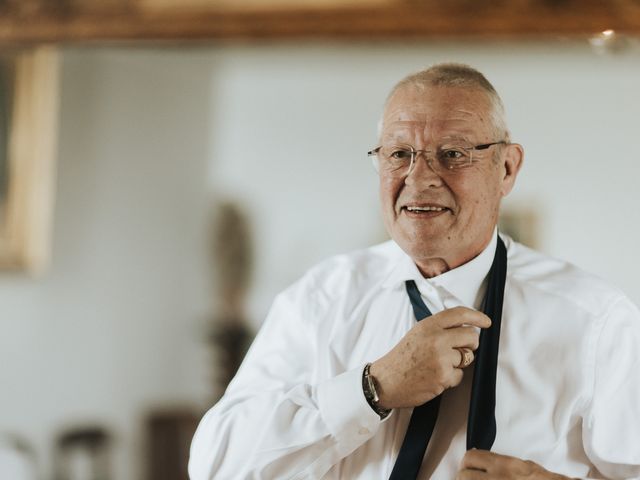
(484, 465)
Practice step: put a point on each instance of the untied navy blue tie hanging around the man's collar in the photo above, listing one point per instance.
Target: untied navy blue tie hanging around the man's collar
(481, 427)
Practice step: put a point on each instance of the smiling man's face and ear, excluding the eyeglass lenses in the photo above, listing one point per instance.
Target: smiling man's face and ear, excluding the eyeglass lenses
(467, 200)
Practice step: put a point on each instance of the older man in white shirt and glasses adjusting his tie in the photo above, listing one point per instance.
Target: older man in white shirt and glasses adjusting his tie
(448, 352)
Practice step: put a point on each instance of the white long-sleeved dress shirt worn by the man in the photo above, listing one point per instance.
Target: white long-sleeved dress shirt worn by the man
(568, 387)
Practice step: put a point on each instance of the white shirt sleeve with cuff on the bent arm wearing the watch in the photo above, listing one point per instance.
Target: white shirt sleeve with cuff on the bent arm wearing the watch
(279, 418)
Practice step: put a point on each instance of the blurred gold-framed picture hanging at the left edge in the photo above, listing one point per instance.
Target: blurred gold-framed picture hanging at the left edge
(28, 134)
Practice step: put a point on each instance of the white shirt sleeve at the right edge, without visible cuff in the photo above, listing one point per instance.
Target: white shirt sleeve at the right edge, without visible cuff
(611, 428)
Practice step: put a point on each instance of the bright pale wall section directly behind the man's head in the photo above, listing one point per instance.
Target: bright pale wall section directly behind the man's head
(292, 125)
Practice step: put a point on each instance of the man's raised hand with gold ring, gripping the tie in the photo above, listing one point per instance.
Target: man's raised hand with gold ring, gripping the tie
(424, 363)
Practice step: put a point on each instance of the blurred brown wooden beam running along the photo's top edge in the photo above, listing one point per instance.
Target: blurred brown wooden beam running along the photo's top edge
(409, 19)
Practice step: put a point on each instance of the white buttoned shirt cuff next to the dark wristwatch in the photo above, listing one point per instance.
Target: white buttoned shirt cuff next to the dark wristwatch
(345, 410)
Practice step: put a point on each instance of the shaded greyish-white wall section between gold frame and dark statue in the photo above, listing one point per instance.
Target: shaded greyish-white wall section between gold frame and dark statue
(112, 330)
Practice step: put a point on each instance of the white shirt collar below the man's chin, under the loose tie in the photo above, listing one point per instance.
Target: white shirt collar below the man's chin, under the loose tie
(464, 282)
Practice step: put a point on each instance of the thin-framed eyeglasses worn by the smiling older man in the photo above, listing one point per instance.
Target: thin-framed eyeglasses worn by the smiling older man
(399, 160)
